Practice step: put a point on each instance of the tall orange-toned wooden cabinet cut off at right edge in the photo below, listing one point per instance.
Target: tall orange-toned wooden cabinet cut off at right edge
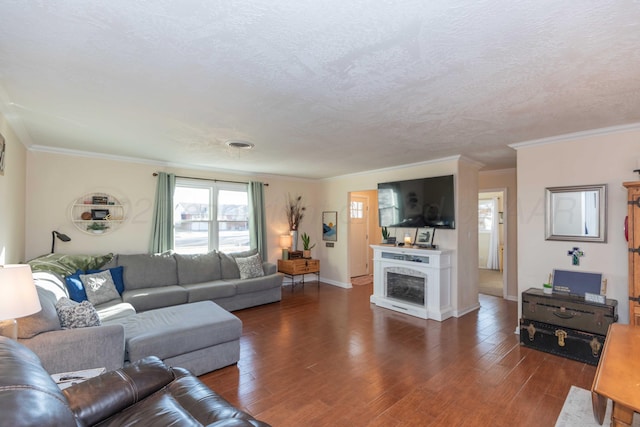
(633, 233)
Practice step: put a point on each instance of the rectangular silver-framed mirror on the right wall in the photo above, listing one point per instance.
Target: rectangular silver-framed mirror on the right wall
(577, 213)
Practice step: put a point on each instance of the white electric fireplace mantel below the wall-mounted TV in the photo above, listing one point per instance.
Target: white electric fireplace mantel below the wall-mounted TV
(434, 266)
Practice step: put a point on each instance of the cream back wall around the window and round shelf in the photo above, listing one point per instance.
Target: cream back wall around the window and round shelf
(56, 180)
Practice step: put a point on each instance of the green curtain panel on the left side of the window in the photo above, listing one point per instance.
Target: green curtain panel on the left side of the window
(162, 232)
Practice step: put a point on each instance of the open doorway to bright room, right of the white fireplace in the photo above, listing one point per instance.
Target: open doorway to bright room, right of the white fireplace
(491, 242)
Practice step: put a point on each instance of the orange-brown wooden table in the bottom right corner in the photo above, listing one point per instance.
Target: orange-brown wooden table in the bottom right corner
(618, 376)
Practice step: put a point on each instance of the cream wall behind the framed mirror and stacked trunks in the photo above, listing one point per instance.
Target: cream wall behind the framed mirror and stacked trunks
(582, 160)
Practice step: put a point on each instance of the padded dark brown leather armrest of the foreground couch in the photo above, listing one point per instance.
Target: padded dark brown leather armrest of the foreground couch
(100, 397)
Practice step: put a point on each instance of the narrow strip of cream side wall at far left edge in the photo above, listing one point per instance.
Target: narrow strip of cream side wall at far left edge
(12, 198)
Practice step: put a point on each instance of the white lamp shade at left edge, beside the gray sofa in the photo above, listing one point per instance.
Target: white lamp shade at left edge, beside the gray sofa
(18, 292)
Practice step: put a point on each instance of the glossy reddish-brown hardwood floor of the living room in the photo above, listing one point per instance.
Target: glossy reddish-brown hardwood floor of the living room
(327, 357)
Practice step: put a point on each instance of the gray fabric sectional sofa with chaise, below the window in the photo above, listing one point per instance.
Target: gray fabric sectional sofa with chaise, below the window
(173, 306)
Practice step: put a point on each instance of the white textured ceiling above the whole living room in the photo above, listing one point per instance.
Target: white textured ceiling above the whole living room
(323, 88)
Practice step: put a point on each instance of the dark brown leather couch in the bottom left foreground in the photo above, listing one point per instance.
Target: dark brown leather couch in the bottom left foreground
(145, 393)
